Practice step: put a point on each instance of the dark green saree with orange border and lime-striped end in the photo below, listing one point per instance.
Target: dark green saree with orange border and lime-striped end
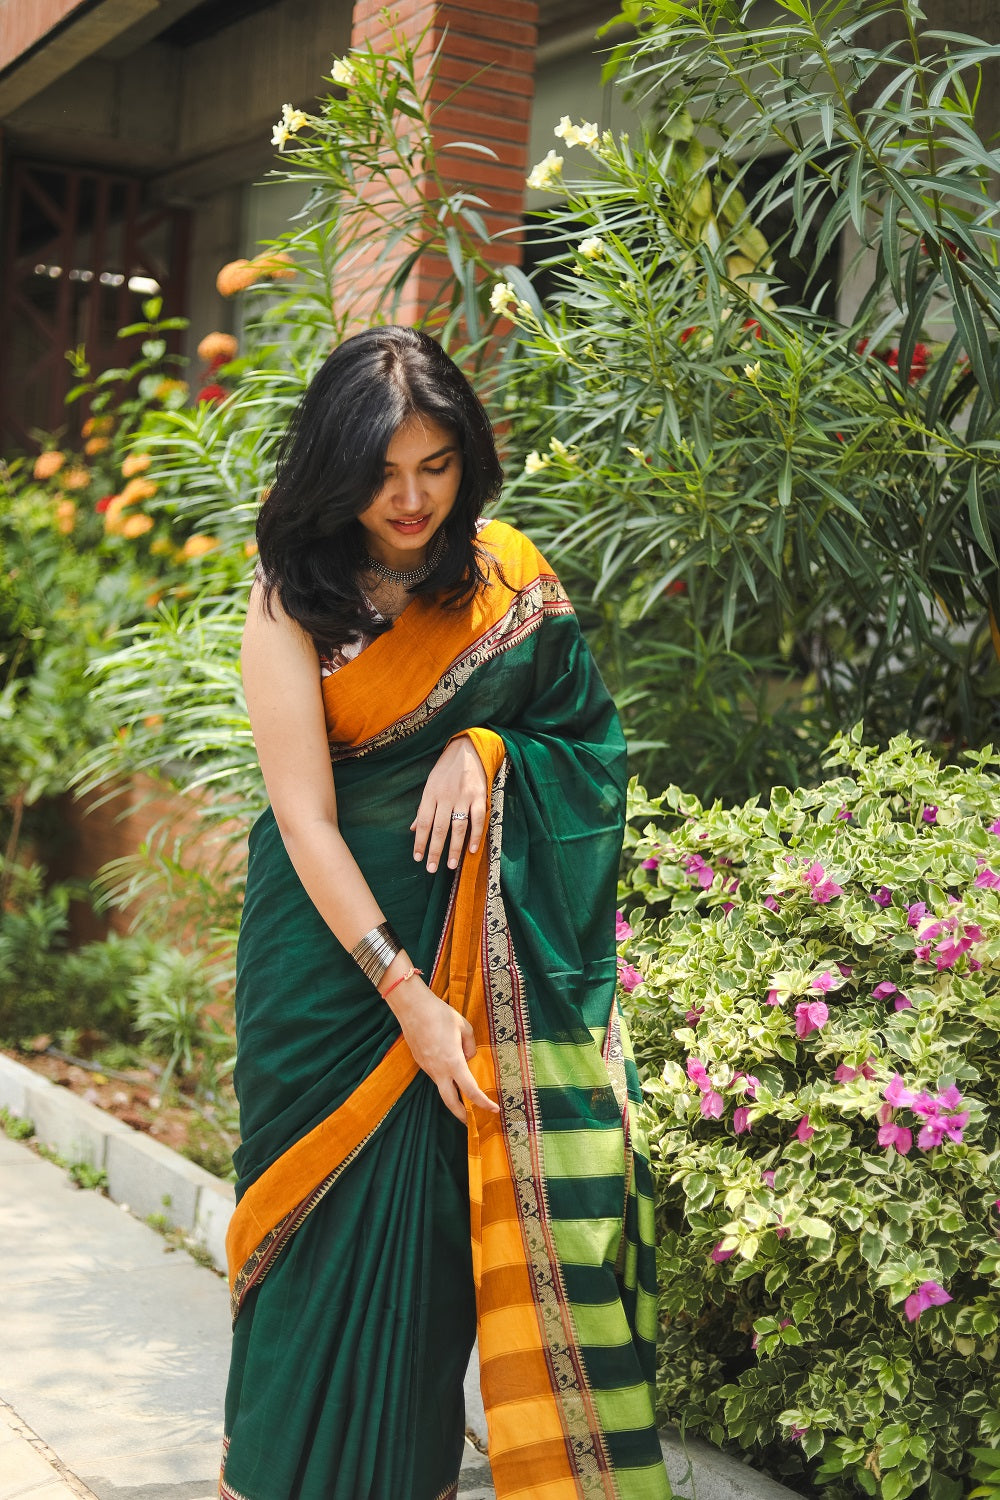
(376, 1237)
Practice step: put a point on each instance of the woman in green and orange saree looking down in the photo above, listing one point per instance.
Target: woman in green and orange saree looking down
(436, 1087)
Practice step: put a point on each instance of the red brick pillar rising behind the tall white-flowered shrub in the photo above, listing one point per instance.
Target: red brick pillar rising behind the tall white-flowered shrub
(488, 52)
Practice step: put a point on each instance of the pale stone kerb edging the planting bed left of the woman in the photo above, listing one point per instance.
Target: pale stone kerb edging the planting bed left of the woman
(143, 1175)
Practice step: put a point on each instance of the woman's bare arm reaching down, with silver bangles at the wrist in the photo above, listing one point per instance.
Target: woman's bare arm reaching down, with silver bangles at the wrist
(281, 680)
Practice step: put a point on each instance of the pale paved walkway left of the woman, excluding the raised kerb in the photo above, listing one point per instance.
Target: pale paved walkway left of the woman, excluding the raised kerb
(113, 1351)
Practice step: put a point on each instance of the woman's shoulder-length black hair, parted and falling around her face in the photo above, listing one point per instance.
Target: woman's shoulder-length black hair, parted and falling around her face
(331, 467)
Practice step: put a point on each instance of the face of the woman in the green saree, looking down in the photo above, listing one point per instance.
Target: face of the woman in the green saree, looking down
(424, 472)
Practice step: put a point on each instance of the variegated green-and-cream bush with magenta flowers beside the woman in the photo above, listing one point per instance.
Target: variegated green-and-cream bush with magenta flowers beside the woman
(815, 992)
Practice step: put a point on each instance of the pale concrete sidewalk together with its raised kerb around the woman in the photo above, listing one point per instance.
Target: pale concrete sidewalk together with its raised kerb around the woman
(115, 1346)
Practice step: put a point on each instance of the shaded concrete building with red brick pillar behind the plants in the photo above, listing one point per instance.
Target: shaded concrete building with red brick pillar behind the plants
(137, 142)
